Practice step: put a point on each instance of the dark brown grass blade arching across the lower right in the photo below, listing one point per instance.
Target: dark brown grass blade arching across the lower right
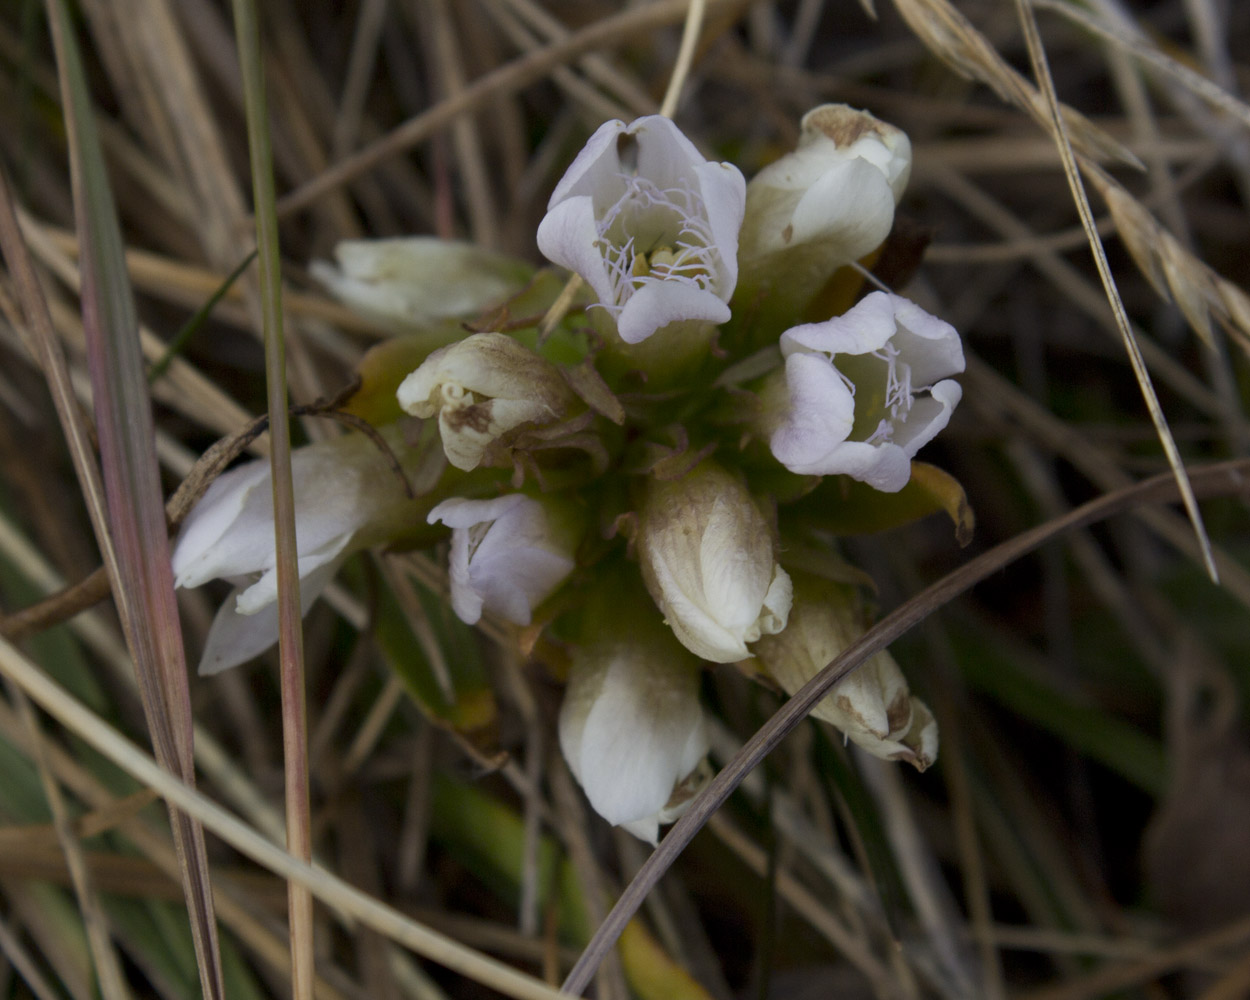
(1223, 479)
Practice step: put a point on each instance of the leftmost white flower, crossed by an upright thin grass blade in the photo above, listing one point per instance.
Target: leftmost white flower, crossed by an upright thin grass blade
(347, 498)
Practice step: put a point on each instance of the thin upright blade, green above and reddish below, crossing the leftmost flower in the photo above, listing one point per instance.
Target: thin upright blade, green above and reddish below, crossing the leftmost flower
(291, 629)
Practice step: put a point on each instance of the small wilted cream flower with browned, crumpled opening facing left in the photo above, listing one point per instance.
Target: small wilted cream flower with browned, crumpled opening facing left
(482, 388)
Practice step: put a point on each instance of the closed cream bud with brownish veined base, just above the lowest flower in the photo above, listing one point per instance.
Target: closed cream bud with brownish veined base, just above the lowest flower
(708, 558)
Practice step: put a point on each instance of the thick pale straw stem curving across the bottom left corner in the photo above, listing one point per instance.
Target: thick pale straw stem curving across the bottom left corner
(337, 893)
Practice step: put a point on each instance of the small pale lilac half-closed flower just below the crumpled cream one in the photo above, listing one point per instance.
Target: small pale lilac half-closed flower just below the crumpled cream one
(508, 554)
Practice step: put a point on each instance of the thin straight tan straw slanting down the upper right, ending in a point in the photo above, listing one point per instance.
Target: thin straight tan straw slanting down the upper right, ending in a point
(1131, 343)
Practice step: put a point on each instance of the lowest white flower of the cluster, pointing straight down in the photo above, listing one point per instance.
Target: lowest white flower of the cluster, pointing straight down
(632, 727)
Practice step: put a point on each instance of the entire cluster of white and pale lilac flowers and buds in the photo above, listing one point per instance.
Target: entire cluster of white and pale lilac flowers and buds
(621, 488)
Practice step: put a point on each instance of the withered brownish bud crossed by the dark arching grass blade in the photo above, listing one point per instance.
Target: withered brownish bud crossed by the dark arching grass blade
(873, 707)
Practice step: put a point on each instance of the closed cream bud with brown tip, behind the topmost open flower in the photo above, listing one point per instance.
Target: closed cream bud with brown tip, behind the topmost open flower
(822, 207)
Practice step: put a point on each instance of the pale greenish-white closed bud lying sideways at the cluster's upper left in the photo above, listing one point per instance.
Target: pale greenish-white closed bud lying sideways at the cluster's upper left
(416, 281)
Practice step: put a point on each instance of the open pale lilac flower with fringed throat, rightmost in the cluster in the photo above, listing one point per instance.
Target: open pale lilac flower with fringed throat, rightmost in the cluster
(866, 391)
